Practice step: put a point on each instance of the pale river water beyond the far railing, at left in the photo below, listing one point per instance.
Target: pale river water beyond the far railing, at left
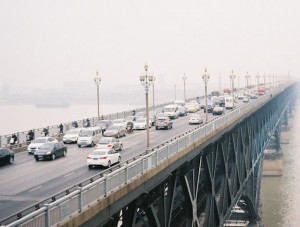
(18, 118)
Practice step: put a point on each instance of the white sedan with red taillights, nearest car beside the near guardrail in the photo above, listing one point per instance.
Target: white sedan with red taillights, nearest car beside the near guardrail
(103, 157)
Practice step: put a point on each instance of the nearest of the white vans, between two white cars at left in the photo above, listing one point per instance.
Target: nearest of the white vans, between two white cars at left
(89, 136)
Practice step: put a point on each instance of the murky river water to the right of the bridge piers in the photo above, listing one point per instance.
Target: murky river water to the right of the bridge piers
(280, 196)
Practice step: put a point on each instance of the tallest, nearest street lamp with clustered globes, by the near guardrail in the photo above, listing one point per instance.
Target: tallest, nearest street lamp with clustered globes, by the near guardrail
(146, 81)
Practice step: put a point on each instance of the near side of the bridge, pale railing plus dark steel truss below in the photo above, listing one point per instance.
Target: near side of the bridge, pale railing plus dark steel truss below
(206, 176)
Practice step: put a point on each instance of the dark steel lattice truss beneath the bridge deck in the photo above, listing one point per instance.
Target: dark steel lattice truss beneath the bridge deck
(219, 185)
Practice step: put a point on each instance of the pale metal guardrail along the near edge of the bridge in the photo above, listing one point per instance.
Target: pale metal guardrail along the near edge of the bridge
(78, 200)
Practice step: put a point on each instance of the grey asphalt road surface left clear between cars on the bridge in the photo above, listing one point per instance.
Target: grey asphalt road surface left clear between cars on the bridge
(27, 181)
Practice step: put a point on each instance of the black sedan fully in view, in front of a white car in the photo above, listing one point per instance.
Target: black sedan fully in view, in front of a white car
(50, 151)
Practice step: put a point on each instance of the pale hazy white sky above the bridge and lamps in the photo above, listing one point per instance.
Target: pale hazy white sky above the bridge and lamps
(56, 41)
